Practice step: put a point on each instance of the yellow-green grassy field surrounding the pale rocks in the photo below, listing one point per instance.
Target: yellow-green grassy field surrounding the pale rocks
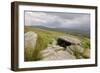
(44, 38)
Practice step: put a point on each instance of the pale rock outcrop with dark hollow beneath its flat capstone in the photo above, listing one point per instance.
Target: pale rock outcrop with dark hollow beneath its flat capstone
(64, 48)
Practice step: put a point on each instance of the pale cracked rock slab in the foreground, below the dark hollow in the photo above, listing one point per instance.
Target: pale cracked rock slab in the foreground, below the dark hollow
(56, 53)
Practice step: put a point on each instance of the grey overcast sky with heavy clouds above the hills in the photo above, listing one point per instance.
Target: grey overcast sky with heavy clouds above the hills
(57, 20)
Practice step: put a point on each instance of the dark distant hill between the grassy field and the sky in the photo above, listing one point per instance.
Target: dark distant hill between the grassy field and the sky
(75, 31)
